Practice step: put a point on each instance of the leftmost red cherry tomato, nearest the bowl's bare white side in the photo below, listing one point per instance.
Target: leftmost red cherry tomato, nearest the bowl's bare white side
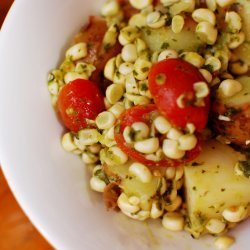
(79, 100)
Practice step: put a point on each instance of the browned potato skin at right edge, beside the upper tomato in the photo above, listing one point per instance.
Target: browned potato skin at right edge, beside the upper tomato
(237, 130)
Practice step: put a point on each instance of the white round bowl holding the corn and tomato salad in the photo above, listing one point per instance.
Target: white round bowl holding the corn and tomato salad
(51, 185)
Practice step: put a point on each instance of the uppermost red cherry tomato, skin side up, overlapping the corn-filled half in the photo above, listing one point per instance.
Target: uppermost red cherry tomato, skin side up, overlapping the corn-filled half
(168, 80)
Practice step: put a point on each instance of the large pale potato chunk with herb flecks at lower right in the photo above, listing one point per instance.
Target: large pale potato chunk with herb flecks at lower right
(211, 185)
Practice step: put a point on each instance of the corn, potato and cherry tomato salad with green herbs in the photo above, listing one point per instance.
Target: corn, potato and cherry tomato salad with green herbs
(155, 97)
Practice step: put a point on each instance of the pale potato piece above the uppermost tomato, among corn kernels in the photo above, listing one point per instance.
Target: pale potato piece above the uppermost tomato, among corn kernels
(165, 38)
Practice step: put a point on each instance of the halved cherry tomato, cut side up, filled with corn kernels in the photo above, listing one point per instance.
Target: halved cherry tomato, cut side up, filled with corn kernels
(145, 113)
